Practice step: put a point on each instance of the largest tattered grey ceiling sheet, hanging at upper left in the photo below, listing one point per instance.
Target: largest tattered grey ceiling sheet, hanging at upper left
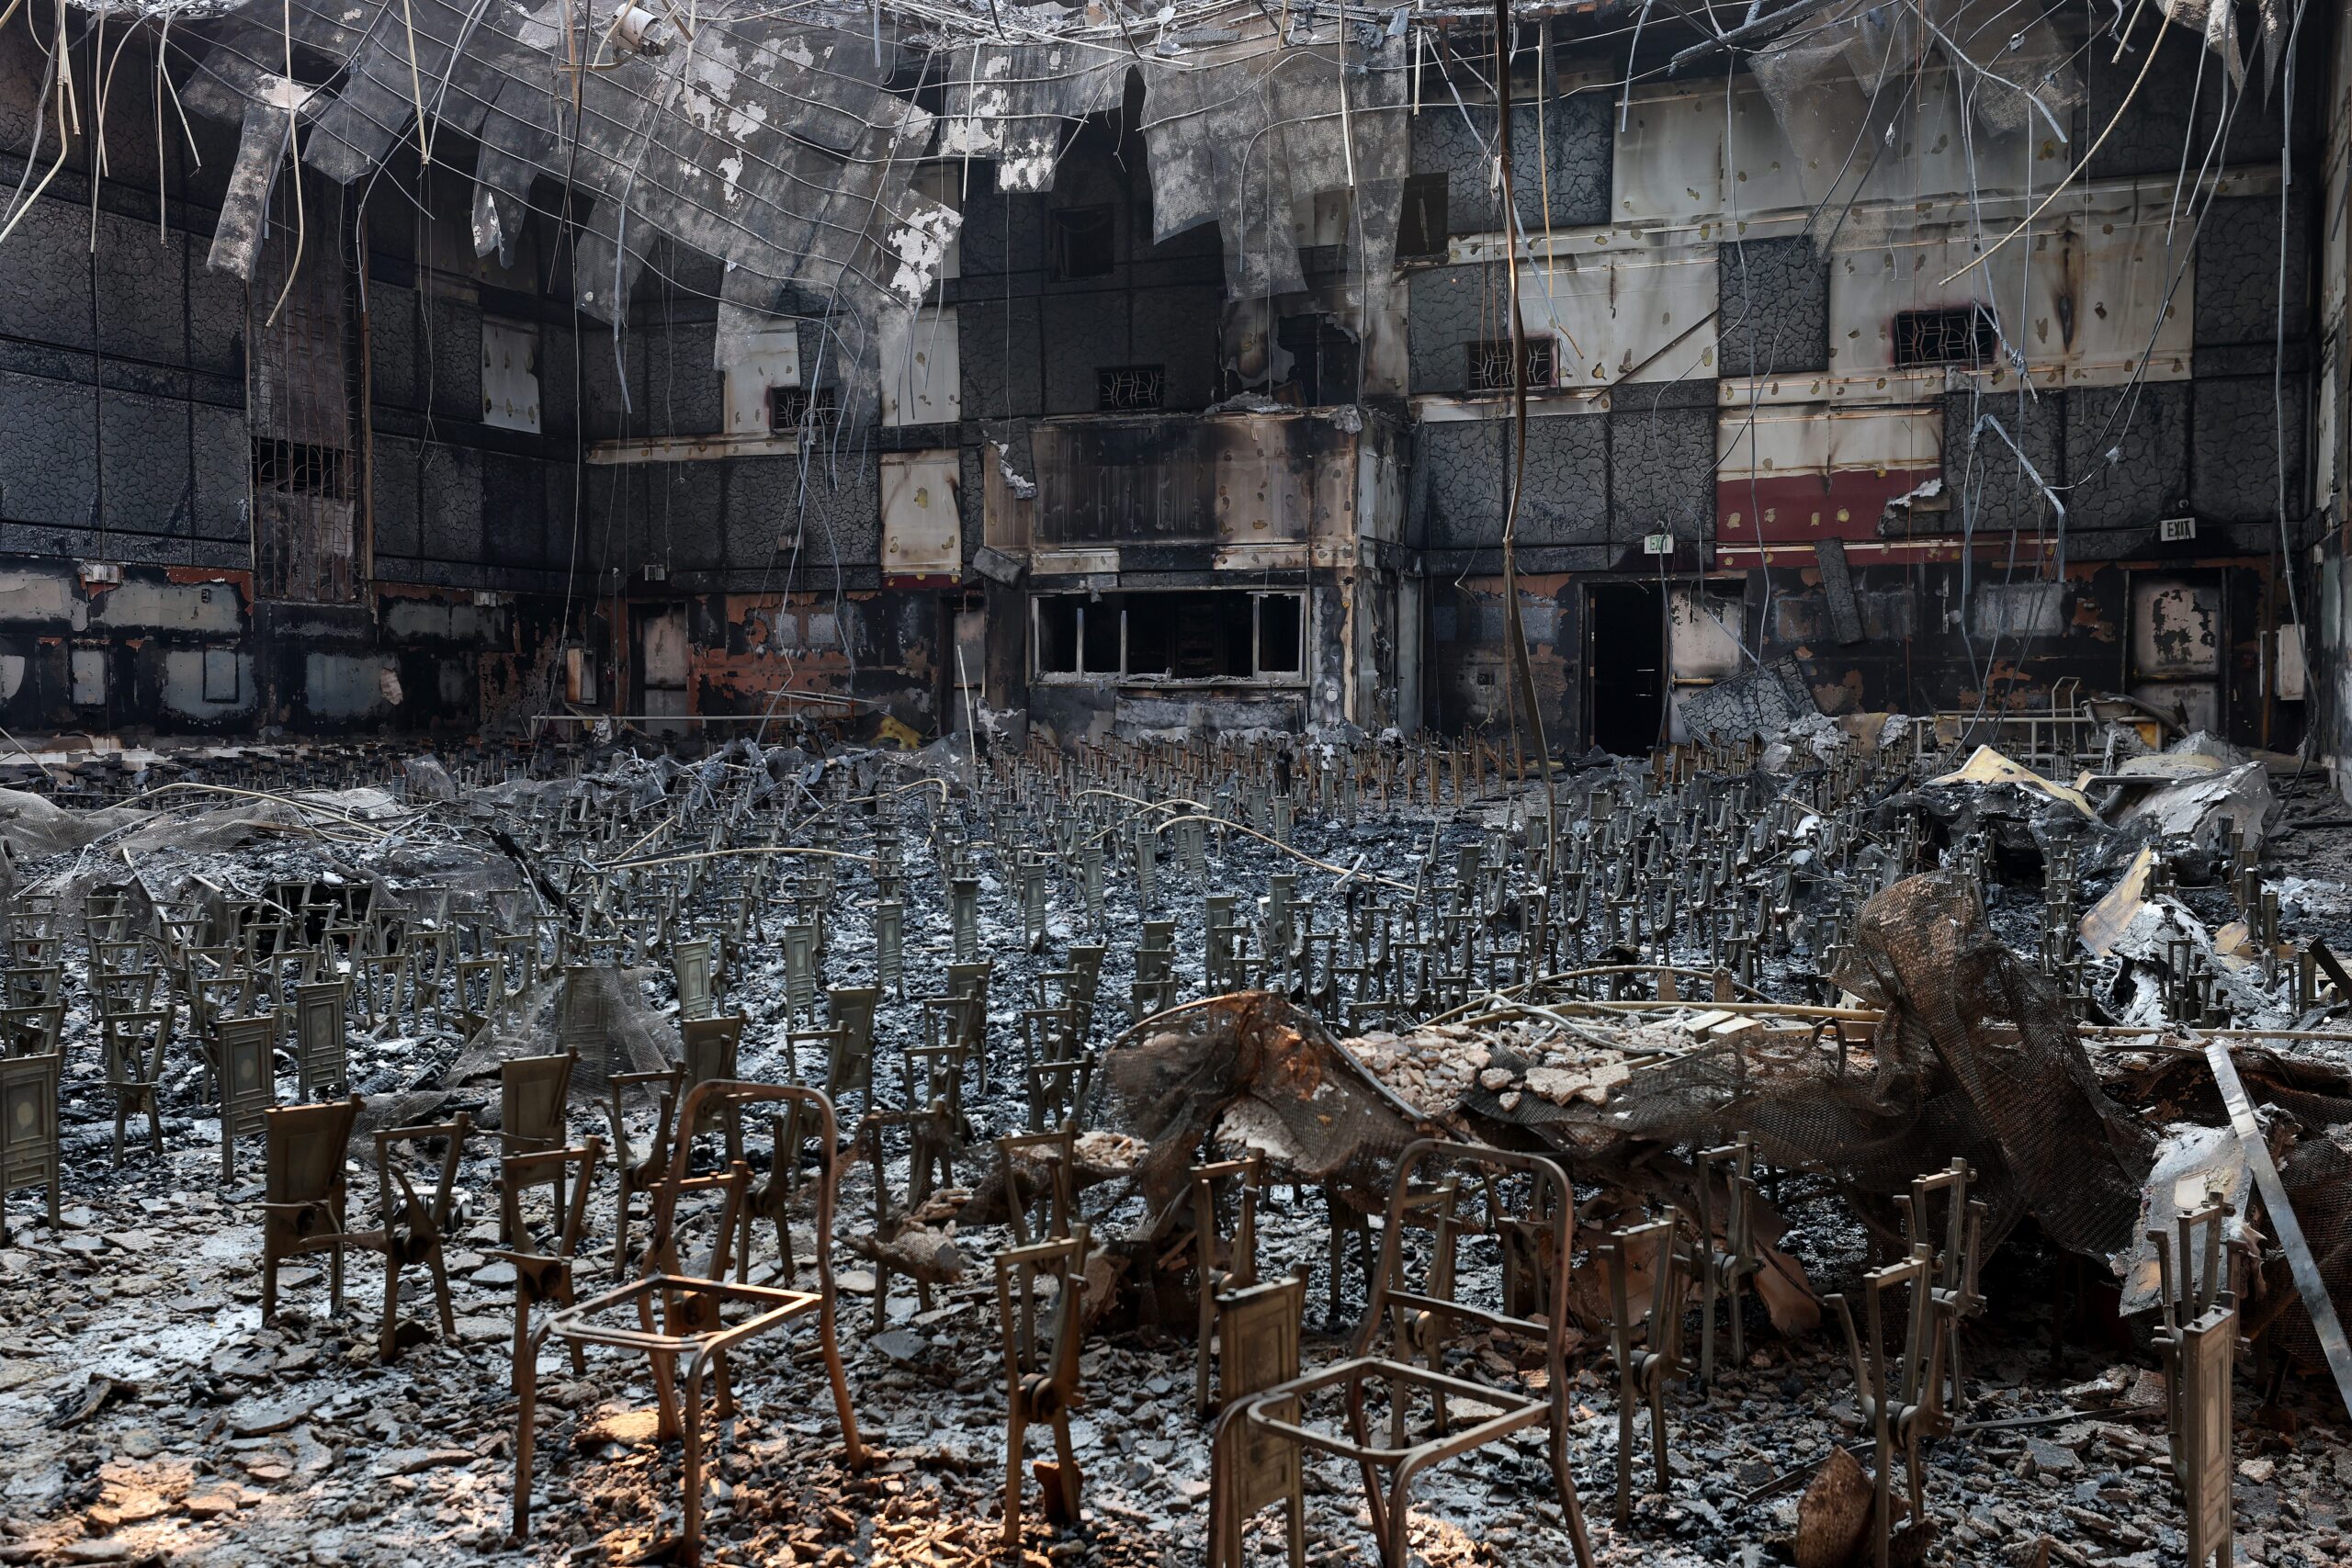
(768, 145)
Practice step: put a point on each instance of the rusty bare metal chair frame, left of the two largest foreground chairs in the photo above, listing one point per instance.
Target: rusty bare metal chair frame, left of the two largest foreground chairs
(681, 1315)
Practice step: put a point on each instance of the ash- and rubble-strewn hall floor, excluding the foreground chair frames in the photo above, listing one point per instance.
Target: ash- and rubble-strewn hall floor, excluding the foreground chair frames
(1864, 956)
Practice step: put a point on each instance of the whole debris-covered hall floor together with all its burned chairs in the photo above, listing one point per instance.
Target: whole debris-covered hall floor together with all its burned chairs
(1843, 1144)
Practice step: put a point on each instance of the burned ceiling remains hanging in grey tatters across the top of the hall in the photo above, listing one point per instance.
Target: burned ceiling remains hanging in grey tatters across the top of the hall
(784, 142)
